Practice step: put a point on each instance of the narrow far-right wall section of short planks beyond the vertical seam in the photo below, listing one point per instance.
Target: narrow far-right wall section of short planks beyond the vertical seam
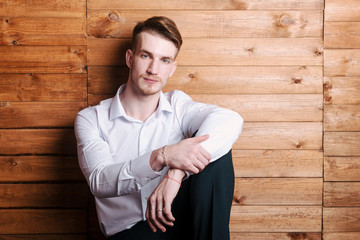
(341, 212)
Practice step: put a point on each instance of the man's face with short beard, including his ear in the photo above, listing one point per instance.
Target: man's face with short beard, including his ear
(151, 65)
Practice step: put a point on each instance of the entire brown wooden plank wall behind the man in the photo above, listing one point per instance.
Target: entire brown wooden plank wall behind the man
(289, 67)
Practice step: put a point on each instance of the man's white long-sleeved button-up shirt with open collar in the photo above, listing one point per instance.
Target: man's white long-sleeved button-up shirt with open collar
(114, 150)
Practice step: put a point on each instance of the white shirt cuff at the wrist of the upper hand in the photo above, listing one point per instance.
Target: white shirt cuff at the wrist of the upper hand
(141, 169)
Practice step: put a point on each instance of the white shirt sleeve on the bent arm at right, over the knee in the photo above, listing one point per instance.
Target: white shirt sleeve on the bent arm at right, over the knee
(223, 125)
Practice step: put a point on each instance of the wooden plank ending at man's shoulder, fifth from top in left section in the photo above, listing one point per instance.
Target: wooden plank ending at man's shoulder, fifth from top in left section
(34, 114)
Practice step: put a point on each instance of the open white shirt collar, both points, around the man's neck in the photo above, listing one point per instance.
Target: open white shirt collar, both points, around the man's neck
(117, 110)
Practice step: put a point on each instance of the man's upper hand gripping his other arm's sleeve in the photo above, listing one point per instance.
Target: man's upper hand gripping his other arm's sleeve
(188, 155)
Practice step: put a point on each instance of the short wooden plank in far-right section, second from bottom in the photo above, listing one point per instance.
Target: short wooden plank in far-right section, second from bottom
(336, 219)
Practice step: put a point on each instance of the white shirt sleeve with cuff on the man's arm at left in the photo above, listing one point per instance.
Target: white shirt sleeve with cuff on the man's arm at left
(106, 177)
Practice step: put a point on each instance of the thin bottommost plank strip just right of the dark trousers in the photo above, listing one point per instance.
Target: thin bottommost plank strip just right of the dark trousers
(275, 236)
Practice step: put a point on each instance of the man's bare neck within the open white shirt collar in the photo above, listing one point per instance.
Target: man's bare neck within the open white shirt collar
(139, 107)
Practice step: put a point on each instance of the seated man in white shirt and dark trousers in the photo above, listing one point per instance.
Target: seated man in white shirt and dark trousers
(159, 165)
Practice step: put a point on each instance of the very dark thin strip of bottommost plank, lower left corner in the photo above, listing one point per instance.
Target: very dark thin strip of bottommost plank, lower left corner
(45, 237)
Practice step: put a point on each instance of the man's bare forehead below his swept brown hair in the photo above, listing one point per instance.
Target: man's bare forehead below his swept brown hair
(156, 45)
